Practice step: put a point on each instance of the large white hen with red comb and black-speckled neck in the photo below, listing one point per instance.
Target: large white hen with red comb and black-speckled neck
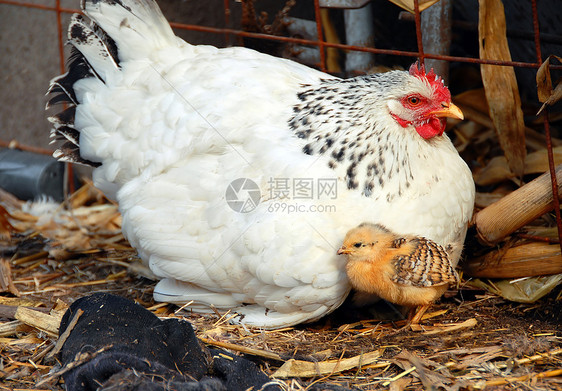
(170, 126)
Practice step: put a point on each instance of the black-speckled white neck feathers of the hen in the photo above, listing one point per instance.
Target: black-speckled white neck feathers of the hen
(331, 119)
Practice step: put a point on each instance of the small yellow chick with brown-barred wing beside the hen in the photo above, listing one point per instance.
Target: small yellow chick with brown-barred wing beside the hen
(410, 271)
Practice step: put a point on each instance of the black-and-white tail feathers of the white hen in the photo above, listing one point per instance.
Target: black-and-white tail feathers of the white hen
(118, 30)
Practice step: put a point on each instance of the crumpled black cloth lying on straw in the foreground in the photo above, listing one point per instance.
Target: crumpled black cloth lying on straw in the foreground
(120, 345)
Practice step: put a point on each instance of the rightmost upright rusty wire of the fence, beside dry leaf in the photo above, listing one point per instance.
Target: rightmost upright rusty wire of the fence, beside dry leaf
(551, 168)
